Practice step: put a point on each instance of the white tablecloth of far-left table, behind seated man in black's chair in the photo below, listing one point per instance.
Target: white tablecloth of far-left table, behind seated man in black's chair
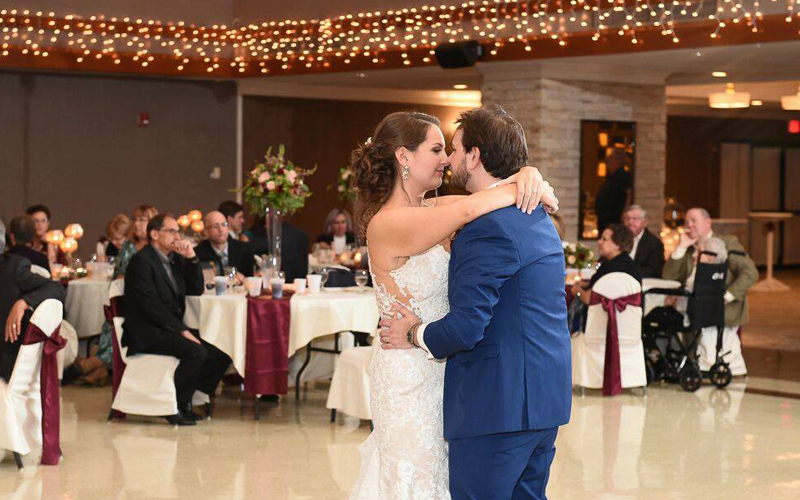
(84, 305)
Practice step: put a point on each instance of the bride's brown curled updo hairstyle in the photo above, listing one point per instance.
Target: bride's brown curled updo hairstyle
(374, 164)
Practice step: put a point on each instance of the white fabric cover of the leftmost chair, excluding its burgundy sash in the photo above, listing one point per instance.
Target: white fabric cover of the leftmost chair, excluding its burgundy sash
(20, 398)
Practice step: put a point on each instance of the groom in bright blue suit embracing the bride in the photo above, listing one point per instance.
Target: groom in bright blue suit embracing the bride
(508, 377)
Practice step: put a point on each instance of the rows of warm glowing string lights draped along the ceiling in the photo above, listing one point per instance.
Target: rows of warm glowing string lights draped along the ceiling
(404, 36)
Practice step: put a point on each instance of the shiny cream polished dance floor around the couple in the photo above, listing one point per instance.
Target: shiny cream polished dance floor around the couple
(668, 445)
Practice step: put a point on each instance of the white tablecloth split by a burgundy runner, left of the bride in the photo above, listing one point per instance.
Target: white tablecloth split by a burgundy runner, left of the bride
(222, 320)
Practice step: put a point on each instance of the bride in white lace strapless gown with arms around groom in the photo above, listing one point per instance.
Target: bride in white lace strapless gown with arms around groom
(408, 238)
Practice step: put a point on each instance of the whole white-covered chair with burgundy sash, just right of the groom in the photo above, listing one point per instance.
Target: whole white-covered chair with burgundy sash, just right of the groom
(610, 353)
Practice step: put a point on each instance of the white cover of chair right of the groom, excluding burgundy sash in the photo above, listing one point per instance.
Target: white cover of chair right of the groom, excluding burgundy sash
(589, 348)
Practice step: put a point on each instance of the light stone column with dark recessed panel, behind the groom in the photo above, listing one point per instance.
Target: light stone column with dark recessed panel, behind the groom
(551, 111)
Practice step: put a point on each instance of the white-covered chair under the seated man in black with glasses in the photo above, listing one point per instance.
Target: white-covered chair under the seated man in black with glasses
(144, 384)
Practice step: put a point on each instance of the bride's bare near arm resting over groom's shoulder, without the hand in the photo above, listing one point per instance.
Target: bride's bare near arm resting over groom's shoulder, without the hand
(412, 230)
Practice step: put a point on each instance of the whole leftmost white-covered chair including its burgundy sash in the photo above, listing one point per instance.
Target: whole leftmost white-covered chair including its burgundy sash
(30, 401)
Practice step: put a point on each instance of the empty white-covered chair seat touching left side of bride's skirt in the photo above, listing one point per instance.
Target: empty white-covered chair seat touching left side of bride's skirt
(349, 391)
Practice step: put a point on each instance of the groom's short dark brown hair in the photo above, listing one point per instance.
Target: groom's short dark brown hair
(498, 136)
